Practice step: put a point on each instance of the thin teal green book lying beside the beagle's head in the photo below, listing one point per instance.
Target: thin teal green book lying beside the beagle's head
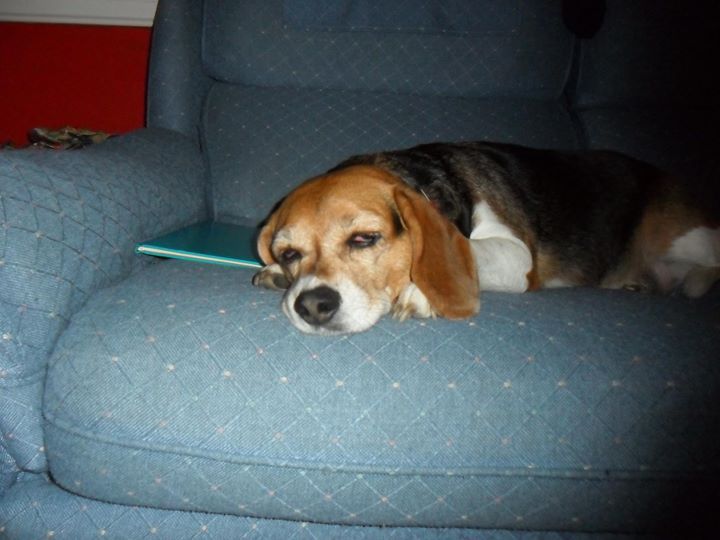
(208, 242)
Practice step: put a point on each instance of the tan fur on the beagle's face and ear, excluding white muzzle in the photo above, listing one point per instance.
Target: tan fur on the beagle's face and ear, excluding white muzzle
(319, 217)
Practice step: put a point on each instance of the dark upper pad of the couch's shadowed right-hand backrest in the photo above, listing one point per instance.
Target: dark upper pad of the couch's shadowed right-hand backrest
(652, 52)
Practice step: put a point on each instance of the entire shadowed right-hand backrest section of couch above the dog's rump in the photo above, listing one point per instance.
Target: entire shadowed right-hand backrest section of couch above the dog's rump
(647, 86)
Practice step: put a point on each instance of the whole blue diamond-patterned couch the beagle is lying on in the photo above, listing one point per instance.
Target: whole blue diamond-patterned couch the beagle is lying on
(146, 399)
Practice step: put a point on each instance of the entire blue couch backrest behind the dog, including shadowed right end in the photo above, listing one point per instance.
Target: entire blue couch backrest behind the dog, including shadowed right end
(287, 88)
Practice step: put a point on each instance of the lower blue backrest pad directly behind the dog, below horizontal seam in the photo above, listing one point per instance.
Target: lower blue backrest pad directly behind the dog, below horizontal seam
(262, 142)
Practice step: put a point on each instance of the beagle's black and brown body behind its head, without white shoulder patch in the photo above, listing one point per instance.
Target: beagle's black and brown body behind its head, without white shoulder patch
(595, 218)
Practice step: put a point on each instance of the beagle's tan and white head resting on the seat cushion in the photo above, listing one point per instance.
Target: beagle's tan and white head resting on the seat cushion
(355, 243)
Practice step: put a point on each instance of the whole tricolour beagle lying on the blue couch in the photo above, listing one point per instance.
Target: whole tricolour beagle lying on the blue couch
(420, 232)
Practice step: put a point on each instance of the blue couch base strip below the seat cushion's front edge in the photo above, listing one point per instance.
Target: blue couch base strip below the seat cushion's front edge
(36, 508)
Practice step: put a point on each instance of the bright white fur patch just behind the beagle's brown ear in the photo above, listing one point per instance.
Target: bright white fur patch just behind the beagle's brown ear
(502, 260)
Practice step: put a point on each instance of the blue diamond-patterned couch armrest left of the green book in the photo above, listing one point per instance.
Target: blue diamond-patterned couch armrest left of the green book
(68, 222)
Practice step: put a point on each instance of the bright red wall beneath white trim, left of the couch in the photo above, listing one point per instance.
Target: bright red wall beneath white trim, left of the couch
(55, 75)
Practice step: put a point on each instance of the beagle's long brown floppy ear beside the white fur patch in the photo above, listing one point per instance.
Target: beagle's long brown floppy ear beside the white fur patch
(443, 267)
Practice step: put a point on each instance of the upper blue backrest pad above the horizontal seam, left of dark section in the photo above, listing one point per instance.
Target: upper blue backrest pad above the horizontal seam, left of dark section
(482, 48)
